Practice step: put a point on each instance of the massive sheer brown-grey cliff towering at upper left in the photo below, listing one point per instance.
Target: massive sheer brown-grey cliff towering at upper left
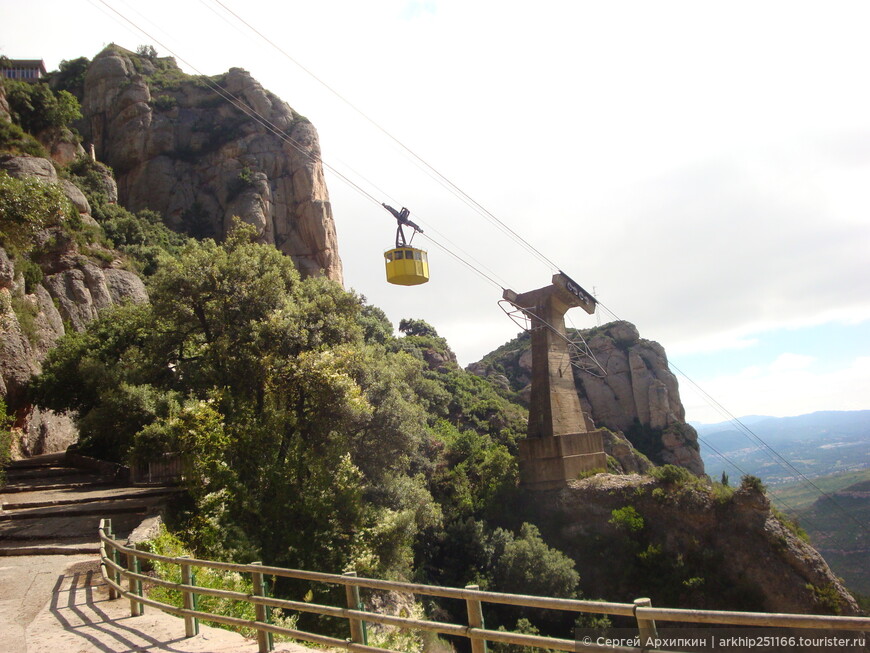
(179, 148)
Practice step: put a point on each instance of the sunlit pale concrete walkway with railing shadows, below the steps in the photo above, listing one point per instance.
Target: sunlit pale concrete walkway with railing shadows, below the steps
(60, 603)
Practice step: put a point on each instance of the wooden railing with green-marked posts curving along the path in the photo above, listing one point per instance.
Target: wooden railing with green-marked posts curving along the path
(115, 574)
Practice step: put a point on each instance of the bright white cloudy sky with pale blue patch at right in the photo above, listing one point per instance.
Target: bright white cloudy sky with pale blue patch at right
(701, 167)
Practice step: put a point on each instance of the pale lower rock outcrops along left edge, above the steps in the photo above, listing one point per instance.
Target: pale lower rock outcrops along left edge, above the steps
(73, 289)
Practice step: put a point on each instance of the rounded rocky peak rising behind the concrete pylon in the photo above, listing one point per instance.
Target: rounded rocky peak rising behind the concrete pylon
(625, 386)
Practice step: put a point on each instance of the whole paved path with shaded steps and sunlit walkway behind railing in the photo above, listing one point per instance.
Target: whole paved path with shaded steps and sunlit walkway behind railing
(52, 596)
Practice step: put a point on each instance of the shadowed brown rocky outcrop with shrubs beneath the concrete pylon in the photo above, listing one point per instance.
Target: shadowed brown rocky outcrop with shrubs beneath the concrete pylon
(687, 546)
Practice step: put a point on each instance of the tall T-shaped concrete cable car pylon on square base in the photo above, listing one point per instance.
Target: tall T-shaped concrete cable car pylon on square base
(558, 446)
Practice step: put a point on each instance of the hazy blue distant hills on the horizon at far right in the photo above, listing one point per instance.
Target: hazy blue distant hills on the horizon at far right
(817, 444)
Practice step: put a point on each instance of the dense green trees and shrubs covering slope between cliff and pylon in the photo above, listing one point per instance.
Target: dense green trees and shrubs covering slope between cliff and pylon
(315, 438)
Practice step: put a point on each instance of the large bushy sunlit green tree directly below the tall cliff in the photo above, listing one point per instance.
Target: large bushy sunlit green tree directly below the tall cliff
(304, 439)
